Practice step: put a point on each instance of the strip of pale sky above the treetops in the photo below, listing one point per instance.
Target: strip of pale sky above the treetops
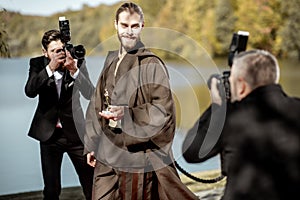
(49, 7)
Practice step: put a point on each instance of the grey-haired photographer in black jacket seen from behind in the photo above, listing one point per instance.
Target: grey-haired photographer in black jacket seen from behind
(260, 140)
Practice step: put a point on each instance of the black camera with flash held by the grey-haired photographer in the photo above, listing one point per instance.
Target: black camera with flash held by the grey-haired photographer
(238, 44)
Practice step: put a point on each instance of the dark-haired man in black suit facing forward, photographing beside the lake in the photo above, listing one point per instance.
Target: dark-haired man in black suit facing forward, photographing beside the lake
(58, 79)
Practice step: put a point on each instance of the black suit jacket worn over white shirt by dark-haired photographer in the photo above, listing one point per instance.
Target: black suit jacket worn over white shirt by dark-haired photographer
(50, 107)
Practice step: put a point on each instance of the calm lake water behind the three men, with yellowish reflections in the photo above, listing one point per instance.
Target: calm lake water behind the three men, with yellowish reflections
(20, 169)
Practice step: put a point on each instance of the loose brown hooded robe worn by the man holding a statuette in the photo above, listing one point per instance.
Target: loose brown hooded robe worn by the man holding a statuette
(134, 156)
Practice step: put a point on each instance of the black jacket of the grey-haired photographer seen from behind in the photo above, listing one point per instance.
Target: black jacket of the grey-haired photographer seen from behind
(259, 145)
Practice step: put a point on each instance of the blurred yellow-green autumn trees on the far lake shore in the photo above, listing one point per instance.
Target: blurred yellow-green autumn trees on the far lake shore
(273, 25)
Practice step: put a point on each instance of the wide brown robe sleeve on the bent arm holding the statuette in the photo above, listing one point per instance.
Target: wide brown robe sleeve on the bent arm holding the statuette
(150, 120)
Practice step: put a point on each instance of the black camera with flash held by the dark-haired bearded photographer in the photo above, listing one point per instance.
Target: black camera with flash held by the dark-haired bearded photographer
(77, 52)
